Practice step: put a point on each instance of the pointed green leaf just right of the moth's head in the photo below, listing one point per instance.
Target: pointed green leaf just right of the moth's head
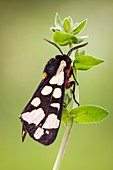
(86, 62)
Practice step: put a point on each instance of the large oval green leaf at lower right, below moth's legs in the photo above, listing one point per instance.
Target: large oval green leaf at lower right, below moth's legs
(89, 114)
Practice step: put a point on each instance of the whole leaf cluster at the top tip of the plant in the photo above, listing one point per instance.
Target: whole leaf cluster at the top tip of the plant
(65, 32)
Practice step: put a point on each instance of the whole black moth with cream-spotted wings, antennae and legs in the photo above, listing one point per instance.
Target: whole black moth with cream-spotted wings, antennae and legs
(41, 117)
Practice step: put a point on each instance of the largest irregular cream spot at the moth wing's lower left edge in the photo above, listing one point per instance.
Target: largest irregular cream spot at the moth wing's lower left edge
(35, 116)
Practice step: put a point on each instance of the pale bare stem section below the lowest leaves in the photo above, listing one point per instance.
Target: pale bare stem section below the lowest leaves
(63, 145)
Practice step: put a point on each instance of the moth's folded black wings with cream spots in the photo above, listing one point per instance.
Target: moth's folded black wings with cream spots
(42, 116)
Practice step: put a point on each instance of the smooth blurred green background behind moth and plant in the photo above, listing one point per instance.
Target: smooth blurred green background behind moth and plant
(23, 54)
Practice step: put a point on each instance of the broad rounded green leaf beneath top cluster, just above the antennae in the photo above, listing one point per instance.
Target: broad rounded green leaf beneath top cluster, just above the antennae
(63, 39)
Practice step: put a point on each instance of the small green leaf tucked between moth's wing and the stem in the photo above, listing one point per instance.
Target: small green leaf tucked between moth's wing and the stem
(65, 116)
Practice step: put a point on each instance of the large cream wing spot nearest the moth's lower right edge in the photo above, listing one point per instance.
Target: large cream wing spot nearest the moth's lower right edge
(51, 122)
